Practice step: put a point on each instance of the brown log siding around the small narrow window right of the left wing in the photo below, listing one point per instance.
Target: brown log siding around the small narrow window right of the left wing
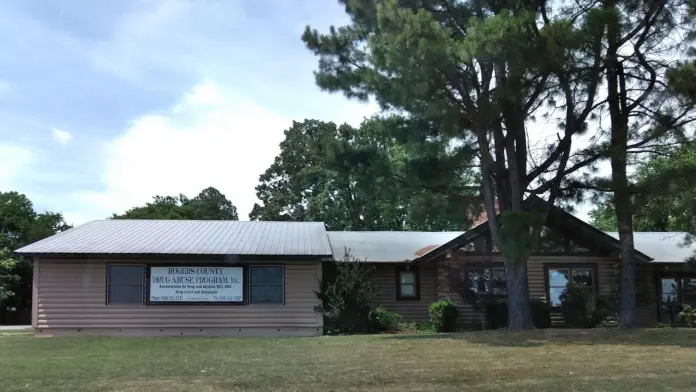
(384, 277)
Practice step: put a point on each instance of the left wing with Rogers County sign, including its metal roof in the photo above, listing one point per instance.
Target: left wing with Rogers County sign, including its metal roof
(168, 277)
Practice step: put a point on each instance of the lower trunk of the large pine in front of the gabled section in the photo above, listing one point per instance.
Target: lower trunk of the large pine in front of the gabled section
(519, 312)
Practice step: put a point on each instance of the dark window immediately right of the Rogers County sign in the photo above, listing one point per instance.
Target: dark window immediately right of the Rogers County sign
(266, 284)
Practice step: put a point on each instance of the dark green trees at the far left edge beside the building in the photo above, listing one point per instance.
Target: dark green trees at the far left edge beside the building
(20, 225)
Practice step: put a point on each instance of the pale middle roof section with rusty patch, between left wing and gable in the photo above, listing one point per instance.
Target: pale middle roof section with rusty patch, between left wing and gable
(386, 246)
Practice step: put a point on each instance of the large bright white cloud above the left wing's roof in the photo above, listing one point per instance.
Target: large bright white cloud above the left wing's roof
(211, 137)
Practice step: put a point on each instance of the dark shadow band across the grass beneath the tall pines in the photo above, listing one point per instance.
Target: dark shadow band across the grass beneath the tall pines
(637, 337)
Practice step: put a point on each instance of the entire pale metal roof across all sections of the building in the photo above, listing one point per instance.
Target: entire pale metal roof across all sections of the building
(285, 239)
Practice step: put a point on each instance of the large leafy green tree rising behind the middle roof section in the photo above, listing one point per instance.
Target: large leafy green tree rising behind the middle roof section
(362, 179)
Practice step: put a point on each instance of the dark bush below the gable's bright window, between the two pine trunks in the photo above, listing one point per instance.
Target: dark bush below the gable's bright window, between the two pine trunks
(581, 308)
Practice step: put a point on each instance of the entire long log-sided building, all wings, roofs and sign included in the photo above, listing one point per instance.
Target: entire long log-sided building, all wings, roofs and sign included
(149, 277)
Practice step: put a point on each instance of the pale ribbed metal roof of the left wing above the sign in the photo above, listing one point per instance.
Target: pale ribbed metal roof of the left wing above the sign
(116, 236)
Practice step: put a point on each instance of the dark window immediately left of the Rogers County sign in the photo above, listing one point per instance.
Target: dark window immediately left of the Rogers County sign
(124, 284)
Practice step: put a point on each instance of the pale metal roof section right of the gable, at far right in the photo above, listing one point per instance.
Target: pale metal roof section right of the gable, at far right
(662, 247)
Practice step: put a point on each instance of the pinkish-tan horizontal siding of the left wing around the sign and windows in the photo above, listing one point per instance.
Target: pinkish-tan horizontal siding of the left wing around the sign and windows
(72, 294)
